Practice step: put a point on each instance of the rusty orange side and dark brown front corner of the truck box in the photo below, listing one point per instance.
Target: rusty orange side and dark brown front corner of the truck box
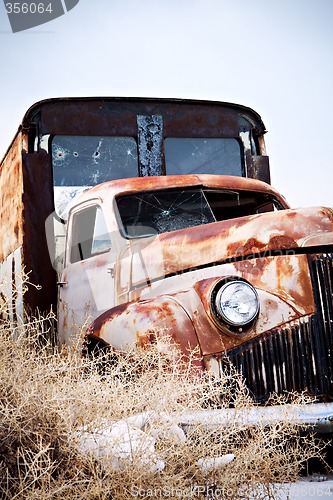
(26, 201)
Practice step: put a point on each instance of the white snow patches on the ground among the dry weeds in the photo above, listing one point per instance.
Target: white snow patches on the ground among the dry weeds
(118, 442)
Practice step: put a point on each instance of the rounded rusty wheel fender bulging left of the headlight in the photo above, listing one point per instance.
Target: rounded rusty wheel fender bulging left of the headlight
(149, 322)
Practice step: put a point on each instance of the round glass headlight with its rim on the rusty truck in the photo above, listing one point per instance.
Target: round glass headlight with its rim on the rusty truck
(236, 303)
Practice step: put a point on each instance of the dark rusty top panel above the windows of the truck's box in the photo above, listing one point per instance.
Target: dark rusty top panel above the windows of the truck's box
(109, 116)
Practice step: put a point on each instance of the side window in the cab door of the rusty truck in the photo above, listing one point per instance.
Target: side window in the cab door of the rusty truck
(90, 235)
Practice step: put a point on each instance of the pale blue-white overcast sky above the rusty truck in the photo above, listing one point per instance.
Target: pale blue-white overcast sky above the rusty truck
(275, 56)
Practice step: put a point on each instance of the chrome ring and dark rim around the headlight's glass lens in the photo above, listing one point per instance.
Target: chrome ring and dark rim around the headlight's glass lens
(223, 320)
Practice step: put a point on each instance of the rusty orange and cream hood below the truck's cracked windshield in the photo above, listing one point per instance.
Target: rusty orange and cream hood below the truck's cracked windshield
(199, 246)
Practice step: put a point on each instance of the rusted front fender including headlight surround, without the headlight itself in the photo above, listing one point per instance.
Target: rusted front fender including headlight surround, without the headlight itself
(184, 321)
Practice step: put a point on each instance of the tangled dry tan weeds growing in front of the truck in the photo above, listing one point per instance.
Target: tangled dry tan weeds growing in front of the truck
(46, 397)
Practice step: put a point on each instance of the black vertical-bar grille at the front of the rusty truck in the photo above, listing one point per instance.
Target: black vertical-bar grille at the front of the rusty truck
(296, 358)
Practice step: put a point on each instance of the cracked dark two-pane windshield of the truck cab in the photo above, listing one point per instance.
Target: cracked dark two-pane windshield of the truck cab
(144, 214)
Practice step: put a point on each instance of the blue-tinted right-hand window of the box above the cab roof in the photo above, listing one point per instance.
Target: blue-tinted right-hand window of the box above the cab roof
(203, 156)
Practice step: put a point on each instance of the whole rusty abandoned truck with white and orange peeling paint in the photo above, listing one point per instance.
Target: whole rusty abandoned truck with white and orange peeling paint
(155, 217)
